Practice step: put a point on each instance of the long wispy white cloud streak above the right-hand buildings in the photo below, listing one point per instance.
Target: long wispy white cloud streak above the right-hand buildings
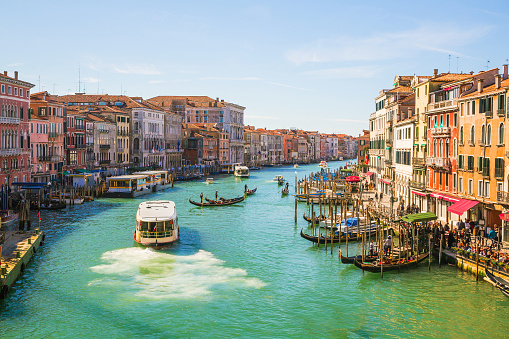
(388, 45)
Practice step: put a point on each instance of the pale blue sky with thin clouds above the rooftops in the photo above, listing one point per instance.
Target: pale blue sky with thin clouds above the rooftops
(313, 65)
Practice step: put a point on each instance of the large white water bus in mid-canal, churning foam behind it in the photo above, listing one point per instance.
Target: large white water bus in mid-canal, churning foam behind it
(156, 223)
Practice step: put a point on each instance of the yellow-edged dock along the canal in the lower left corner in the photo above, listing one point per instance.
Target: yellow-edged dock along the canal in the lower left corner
(17, 248)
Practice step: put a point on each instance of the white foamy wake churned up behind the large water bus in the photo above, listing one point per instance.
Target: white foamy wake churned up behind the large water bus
(160, 275)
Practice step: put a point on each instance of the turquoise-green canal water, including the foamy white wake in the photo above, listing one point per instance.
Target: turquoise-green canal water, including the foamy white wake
(238, 271)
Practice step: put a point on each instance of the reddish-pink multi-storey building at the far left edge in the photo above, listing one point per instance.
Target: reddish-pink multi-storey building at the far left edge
(14, 124)
